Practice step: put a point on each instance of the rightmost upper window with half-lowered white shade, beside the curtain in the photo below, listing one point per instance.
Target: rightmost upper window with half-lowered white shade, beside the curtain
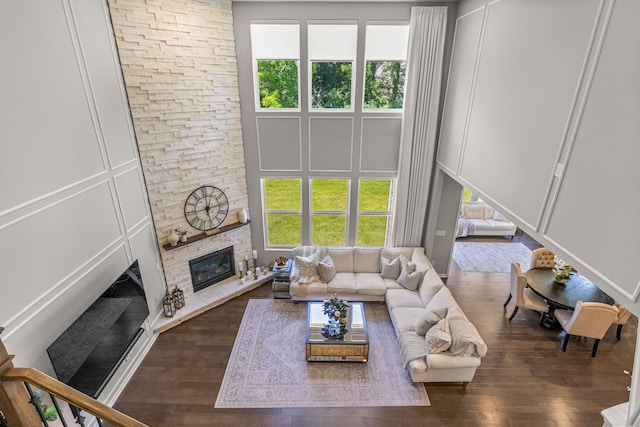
(385, 66)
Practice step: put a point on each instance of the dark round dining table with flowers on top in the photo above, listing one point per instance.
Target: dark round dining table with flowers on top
(564, 295)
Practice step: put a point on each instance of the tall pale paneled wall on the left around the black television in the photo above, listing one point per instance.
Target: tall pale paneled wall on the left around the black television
(74, 211)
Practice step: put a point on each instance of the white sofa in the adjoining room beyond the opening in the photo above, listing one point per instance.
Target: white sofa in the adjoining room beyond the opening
(480, 219)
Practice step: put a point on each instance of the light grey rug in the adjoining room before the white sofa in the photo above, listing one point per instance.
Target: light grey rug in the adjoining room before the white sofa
(490, 257)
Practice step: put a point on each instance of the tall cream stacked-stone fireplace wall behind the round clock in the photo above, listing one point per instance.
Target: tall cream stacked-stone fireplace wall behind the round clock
(184, 101)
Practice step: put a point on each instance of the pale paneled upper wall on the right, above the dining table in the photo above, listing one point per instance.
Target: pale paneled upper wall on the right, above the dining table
(546, 128)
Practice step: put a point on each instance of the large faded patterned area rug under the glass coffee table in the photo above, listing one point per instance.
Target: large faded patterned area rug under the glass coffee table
(267, 367)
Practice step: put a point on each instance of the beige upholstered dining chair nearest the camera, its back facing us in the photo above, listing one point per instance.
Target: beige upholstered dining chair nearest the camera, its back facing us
(588, 319)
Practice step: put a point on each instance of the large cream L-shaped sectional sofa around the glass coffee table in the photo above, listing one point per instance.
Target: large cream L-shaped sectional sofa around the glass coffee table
(422, 309)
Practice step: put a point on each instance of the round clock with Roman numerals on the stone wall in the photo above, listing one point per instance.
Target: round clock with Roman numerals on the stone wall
(206, 208)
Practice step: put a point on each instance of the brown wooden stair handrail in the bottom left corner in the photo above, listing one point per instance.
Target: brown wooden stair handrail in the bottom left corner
(70, 395)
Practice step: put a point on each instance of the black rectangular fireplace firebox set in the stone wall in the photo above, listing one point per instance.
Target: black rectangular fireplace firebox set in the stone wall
(212, 268)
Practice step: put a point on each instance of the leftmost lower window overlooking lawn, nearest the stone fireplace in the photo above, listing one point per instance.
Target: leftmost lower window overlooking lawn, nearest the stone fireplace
(282, 211)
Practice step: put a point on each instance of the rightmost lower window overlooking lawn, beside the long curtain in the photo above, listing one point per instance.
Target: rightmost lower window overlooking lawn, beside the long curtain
(374, 212)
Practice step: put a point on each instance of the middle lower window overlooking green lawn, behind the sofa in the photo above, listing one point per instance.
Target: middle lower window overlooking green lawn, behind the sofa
(329, 211)
